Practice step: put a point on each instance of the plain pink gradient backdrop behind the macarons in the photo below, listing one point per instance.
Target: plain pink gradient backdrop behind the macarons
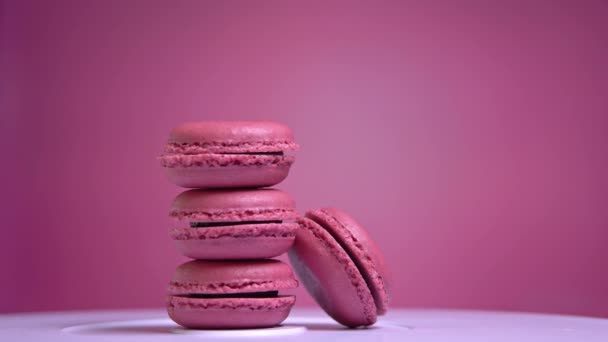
(470, 137)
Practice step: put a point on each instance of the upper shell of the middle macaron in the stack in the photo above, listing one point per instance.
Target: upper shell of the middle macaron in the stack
(199, 205)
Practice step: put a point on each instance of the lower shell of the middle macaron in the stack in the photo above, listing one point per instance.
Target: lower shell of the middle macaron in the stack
(235, 242)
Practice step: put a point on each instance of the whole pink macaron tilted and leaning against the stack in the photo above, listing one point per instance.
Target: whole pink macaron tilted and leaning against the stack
(341, 267)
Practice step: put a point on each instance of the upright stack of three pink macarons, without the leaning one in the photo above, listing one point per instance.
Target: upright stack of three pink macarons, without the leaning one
(230, 224)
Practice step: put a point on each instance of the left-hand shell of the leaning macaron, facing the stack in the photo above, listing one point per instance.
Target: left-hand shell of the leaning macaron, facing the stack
(331, 277)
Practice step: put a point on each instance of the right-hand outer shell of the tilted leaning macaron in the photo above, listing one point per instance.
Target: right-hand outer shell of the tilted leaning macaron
(362, 249)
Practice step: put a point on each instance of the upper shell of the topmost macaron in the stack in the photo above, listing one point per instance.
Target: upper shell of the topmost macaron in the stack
(230, 137)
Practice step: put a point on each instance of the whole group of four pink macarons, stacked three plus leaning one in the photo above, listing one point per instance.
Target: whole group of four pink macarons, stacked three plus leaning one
(231, 225)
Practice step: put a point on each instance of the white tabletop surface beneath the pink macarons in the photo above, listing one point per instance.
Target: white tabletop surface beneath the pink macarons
(307, 325)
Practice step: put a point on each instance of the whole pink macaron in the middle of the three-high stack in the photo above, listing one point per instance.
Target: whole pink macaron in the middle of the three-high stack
(233, 224)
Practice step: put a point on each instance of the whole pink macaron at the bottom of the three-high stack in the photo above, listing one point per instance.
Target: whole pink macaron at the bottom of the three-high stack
(230, 294)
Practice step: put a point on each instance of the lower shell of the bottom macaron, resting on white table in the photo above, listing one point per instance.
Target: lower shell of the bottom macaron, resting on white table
(226, 313)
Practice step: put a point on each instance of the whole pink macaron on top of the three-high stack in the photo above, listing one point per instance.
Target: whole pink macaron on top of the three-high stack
(224, 154)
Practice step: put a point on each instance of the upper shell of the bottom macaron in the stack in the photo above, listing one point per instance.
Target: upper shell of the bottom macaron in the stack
(228, 277)
